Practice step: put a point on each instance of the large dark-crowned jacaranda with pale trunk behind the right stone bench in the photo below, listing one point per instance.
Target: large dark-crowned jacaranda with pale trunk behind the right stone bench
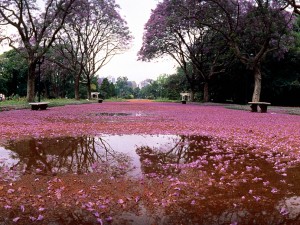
(252, 29)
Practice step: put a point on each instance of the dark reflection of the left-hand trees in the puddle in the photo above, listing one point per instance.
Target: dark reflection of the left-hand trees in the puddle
(67, 155)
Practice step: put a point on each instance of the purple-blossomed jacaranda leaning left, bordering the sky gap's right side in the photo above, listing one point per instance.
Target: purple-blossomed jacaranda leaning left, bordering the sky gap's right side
(165, 35)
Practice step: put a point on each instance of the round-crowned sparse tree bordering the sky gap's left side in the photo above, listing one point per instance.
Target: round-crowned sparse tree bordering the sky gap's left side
(90, 40)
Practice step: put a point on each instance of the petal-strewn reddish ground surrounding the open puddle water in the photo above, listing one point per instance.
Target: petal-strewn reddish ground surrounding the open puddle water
(247, 169)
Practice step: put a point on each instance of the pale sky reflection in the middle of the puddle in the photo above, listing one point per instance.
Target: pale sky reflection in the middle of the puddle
(129, 143)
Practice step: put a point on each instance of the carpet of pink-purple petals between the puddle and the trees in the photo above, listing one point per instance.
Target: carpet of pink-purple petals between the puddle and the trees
(272, 131)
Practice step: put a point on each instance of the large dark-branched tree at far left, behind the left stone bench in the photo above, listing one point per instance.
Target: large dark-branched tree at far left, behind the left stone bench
(34, 30)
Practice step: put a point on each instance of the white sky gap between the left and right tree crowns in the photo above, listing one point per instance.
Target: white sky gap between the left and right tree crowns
(136, 13)
